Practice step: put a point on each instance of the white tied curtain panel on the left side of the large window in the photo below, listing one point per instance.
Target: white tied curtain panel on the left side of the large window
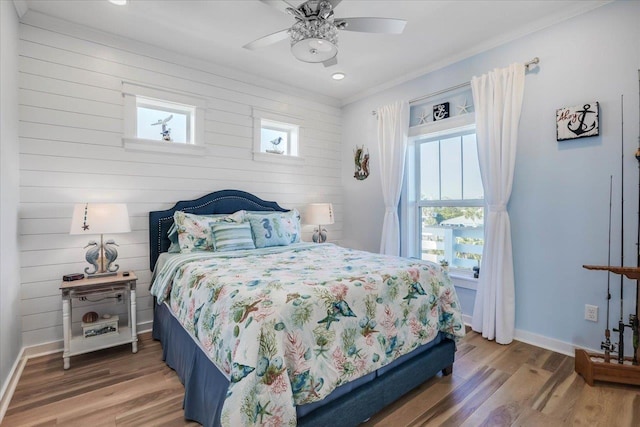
(393, 125)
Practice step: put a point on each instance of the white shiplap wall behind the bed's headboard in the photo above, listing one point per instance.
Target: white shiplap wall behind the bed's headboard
(71, 151)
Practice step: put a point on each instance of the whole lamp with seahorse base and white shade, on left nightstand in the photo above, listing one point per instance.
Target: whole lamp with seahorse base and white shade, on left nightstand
(100, 218)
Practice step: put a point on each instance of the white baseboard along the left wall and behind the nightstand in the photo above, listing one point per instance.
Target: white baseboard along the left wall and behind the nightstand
(26, 353)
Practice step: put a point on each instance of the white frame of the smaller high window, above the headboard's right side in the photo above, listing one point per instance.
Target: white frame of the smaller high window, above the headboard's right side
(273, 120)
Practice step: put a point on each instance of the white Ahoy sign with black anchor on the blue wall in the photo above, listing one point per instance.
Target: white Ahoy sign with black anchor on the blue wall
(578, 122)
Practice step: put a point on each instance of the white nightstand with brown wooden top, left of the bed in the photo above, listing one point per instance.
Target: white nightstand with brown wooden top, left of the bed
(74, 345)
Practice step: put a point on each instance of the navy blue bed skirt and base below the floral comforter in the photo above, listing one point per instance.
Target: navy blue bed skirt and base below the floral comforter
(349, 405)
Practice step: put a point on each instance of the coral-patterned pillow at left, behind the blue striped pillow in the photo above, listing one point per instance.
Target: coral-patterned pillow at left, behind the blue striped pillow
(194, 231)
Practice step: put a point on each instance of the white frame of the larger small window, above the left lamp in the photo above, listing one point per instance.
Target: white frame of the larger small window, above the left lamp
(136, 95)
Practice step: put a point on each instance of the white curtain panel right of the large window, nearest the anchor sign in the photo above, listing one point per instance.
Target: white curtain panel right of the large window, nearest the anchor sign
(497, 98)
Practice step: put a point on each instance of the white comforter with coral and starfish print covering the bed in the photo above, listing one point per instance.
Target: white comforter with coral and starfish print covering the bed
(287, 325)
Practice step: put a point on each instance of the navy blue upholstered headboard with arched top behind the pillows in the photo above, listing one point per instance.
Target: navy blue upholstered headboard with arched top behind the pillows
(218, 202)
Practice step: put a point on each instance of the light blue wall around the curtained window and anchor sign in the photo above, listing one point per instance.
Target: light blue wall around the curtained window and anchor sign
(560, 202)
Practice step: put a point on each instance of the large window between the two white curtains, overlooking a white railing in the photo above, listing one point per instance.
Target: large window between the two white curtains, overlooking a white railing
(447, 199)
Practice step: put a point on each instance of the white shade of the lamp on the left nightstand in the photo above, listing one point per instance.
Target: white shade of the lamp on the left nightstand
(100, 218)
